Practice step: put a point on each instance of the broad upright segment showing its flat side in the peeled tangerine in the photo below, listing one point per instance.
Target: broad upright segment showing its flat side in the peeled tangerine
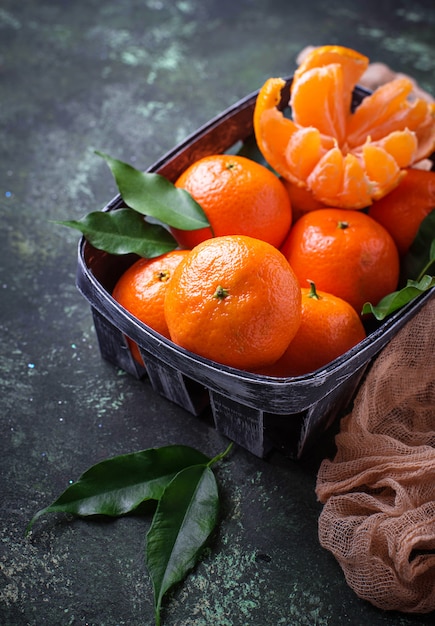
(325, 85)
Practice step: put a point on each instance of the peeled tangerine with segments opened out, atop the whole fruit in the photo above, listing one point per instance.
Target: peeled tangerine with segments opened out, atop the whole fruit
(346, 159)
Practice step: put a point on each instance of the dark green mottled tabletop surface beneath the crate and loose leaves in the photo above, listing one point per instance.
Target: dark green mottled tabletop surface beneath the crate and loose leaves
(133, 78)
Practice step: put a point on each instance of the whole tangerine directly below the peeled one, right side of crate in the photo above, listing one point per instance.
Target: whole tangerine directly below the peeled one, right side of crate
(346, 253)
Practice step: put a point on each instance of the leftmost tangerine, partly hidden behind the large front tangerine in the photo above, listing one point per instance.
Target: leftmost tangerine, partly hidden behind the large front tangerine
(141, 290)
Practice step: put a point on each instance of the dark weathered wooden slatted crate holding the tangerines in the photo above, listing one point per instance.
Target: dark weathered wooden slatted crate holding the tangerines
(257, 412)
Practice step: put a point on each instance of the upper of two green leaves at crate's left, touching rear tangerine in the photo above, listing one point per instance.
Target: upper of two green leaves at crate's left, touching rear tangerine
(154, 195)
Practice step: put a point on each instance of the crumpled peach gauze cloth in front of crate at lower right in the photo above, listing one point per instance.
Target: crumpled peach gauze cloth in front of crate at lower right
(378, 492)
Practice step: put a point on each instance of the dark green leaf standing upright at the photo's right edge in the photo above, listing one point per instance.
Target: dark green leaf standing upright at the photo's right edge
(421, 254)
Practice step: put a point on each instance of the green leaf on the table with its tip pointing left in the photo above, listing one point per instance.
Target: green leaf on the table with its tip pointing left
(120, 484)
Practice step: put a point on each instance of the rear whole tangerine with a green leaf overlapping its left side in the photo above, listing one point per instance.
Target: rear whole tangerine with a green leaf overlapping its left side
(239, 197)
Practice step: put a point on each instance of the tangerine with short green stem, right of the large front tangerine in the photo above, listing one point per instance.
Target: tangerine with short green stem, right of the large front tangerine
(329, 327)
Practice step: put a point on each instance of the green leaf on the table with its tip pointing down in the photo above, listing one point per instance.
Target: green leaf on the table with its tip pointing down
(185, 516)
